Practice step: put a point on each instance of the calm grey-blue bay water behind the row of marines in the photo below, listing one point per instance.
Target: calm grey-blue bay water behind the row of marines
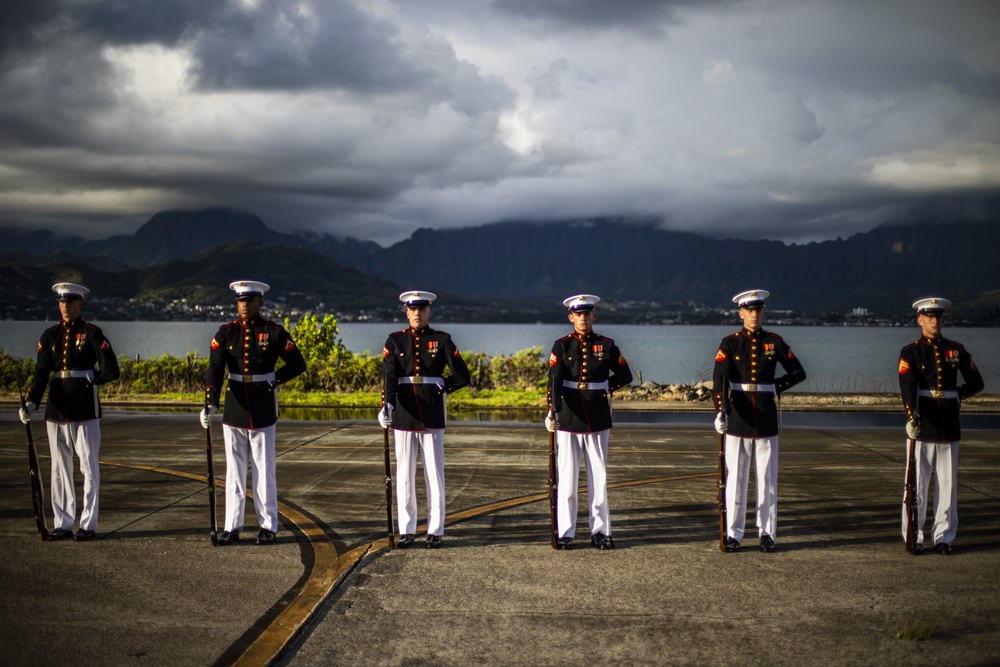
(836, 359)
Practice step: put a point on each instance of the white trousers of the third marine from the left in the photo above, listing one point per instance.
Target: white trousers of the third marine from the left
(431, 446)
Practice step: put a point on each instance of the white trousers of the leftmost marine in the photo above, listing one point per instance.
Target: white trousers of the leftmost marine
(85, 438)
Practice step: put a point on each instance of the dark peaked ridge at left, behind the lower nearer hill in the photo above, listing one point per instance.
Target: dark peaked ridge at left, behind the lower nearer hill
(181, 234)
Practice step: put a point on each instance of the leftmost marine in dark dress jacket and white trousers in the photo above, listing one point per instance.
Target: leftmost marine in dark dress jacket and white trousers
(79, 358)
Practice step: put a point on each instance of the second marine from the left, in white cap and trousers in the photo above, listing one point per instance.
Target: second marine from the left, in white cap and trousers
(246, 351)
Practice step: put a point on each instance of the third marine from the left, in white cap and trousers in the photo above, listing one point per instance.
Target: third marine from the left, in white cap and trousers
(414, 361)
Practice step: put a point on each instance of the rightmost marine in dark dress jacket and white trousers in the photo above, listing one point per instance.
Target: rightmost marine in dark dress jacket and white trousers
(928, 381)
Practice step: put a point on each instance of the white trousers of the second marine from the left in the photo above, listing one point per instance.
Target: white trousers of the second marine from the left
(257, 445)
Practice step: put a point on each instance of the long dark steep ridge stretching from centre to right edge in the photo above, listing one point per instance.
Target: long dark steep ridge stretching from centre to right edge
(880, 269)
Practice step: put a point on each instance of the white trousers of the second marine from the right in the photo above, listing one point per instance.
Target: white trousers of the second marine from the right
(764, 453)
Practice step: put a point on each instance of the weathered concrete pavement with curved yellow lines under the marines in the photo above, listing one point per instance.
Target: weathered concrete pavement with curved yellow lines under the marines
(152, 590)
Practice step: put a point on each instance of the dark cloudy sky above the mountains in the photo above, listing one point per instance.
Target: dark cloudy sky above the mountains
(791, 119)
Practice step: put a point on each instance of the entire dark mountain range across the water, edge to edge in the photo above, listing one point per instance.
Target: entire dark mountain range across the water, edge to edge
(516, 271)
